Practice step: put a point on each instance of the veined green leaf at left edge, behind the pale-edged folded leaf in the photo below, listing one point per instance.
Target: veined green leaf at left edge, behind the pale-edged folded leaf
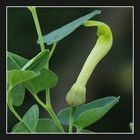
(15, 61)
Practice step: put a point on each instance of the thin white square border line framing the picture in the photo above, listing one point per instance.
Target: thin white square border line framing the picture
(132, 65)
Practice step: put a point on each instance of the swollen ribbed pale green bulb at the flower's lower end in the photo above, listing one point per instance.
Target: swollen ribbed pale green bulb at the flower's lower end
(76, 95)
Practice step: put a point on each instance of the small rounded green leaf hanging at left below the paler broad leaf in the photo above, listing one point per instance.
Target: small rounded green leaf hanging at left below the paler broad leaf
(17, 94)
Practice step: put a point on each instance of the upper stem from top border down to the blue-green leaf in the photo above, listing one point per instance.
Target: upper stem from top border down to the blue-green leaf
(37, 25)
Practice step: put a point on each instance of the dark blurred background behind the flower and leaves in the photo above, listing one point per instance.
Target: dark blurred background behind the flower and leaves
(111, 77)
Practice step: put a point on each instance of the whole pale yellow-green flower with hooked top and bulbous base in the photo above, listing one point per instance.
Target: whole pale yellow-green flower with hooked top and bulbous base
(77, 94)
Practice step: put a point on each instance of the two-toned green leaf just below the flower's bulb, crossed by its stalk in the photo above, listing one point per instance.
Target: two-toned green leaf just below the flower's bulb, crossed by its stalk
(89, 113)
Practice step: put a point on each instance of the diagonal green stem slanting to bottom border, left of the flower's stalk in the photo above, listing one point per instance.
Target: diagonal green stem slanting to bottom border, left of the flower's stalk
(51, 112)
